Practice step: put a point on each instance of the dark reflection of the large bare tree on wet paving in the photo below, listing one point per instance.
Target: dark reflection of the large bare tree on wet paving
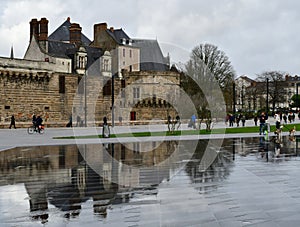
(206, 180)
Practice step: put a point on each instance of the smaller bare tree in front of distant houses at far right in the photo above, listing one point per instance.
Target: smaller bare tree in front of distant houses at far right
(276, 85)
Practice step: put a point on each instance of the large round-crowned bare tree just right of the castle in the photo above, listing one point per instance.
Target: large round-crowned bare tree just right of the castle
(214, 76)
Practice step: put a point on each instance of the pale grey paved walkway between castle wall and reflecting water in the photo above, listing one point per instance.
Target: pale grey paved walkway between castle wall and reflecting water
(10, 138)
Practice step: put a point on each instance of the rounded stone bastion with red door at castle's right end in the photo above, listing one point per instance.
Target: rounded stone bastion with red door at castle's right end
(149, 96)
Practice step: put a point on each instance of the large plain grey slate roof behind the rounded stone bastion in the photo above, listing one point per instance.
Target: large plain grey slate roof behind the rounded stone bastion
(151, 56)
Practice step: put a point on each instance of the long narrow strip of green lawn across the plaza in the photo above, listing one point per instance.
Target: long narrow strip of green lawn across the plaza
(252, 129)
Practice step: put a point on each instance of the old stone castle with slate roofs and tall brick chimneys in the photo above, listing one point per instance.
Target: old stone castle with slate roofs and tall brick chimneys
(65, 74)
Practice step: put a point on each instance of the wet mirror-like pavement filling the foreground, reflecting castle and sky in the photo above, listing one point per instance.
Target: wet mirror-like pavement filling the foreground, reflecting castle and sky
(247, 184)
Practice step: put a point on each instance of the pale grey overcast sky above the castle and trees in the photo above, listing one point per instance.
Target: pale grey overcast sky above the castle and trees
(256, 35)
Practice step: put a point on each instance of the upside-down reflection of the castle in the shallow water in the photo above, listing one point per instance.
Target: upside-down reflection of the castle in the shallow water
(65, 177)
